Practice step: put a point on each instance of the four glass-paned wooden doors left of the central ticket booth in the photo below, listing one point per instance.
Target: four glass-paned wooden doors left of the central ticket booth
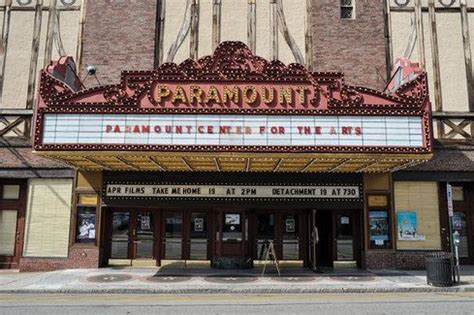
(159, 234)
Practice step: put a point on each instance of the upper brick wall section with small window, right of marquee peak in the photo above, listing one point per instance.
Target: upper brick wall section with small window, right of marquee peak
(355, 46)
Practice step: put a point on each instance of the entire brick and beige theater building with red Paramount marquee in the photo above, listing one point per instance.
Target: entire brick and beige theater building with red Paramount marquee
(316, 133)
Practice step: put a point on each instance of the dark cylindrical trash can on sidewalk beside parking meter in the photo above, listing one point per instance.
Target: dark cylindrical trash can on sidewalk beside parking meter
(439, 269)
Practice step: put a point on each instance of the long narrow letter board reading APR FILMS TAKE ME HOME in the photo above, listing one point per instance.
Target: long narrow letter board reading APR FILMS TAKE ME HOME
(230, 191)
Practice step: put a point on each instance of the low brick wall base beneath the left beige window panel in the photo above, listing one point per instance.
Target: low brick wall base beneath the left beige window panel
(78, 258)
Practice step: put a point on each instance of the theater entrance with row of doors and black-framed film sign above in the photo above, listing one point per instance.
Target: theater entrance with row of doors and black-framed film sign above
(229, 218)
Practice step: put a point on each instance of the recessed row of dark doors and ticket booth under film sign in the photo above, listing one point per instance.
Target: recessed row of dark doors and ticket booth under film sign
(235, 238)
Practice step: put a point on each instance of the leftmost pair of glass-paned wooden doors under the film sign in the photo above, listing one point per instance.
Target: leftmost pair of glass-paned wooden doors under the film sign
(132, 235)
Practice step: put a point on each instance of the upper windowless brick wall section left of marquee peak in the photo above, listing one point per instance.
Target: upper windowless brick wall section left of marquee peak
(118, 35)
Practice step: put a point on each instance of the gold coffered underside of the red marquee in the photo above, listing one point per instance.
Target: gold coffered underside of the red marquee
(236, 162)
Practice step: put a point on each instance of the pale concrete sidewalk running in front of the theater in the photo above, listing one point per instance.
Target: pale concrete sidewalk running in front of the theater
(198, 281)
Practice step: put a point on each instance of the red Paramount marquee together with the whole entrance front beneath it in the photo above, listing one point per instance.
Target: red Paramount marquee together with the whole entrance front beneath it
(212, 159)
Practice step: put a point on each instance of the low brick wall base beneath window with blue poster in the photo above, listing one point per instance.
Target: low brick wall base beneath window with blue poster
(409, 260)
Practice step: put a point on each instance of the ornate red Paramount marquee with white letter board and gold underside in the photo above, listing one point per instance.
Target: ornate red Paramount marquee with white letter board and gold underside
(234, 103)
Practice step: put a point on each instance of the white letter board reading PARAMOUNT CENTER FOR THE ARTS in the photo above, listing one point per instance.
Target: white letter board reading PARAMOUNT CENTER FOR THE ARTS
(236, 130)
